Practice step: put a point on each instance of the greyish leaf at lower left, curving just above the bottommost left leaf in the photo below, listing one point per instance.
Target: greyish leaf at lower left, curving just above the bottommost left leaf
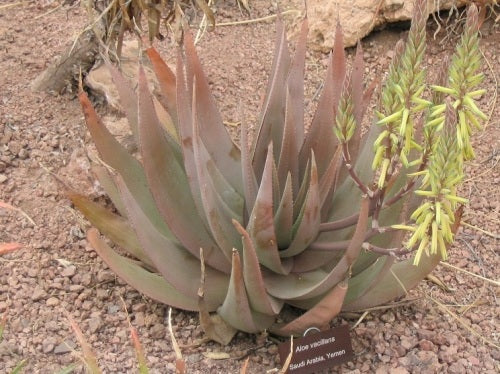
(179, 268)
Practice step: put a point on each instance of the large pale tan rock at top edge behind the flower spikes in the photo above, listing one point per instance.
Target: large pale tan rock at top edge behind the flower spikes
(357, 18)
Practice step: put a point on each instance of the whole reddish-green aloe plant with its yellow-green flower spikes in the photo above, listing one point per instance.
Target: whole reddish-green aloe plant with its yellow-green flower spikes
(313, 219)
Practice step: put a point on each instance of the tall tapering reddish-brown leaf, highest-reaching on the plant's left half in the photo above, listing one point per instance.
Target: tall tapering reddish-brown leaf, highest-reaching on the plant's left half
(221, 148)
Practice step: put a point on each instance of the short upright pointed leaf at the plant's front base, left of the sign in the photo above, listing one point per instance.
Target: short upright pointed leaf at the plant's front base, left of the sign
(236, 307)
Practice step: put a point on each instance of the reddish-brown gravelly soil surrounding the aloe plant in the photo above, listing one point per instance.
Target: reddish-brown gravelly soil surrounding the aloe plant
(57, 271)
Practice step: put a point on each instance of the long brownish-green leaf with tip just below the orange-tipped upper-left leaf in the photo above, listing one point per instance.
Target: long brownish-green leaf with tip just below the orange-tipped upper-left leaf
(168, 182)
